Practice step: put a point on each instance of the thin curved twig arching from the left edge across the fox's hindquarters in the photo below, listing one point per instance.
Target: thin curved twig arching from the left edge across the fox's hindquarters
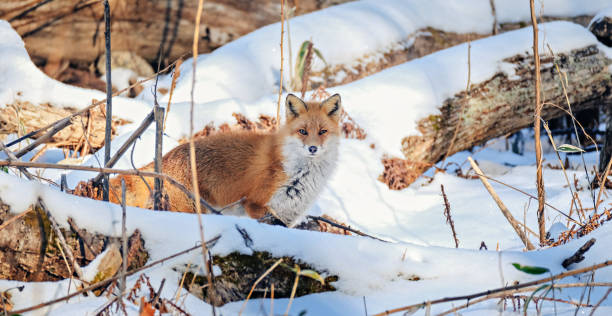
(132, 172)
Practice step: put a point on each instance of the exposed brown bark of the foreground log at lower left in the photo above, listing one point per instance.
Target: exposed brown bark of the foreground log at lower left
(29, 252)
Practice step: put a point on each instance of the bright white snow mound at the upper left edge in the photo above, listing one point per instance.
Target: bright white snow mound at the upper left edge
(21, 80)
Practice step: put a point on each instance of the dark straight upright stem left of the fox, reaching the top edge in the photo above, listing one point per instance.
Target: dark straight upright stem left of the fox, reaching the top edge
(109, 97)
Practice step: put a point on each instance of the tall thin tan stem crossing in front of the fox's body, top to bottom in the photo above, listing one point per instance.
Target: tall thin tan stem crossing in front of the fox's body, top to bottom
(192, 159)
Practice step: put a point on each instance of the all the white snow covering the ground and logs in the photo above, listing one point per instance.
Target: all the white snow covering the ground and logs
(387, 105)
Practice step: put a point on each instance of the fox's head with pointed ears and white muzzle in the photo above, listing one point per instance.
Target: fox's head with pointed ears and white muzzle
(313, 128)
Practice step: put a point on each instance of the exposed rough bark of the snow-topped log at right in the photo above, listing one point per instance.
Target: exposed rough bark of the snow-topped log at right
(503, 105)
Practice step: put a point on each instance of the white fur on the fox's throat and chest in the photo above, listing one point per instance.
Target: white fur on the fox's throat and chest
(306, 178)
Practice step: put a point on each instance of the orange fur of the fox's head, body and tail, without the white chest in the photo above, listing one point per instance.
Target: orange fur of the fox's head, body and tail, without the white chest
(236, 165)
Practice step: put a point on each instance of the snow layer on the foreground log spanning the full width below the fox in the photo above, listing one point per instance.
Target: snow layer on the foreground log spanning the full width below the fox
(365, 267)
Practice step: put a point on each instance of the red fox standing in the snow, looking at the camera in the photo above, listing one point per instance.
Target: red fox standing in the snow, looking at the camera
(279, 173)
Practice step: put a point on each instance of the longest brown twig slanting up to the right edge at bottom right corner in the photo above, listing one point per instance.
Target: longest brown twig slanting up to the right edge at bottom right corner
(508, 289)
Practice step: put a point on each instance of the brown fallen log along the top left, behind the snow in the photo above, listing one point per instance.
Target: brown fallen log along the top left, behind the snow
(138, 26)
